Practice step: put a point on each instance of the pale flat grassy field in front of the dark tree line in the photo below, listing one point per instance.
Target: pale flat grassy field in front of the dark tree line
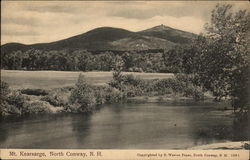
(56, 79)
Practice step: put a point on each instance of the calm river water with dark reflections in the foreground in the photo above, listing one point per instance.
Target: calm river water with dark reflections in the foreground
(125, 126)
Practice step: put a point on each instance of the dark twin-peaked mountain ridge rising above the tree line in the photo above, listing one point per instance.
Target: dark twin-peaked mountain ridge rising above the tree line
(108, 38)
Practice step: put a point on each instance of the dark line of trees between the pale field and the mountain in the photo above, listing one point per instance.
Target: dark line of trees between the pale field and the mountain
(82, 60)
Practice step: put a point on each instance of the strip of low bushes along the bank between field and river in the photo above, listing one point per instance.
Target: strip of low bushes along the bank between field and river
(84, 97)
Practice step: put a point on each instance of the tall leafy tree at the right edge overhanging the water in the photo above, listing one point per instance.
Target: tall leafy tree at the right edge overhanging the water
(222, 59)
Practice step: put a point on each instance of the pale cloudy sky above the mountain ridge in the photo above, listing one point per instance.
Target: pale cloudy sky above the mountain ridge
(31, 22)
